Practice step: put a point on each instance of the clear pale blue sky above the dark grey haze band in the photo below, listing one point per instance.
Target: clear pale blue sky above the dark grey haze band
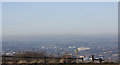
(59, 18)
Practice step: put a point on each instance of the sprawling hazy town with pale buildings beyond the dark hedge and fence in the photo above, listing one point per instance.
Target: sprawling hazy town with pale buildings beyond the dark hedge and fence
(85, 52)
